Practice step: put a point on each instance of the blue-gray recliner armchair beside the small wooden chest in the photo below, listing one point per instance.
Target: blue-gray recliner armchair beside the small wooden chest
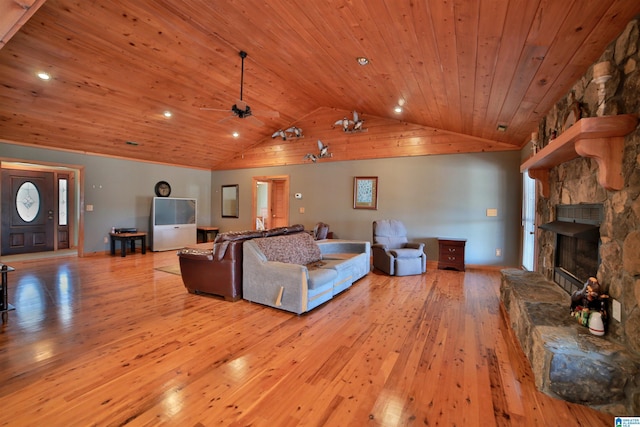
(393, 253)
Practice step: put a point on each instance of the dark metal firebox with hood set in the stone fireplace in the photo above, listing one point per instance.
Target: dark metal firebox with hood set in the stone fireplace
(577, 247)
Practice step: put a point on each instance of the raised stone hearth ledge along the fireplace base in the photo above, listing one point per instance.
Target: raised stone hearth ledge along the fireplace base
(566, 360)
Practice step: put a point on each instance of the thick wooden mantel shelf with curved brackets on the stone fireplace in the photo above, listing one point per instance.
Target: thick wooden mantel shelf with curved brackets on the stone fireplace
(599, 138)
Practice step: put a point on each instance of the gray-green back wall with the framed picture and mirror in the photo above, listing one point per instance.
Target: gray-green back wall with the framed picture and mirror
(435, 196)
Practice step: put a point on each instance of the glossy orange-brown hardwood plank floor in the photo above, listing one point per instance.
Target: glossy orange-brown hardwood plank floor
(112, 341)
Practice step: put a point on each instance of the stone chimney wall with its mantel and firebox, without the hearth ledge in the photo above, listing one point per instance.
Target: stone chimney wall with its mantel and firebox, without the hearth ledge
(605, 177)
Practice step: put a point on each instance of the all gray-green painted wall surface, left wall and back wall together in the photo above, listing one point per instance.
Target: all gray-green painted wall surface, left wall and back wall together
(435, 196)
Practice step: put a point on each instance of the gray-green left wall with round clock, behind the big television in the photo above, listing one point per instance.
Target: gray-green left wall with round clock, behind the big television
(120, 191)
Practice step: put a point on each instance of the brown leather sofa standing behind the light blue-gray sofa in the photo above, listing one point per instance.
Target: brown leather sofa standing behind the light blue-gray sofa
(218, 271)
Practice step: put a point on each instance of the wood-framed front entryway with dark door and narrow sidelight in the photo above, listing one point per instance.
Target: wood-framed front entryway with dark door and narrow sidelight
(40, 209)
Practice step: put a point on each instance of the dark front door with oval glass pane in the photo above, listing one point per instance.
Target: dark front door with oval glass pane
(28, 206)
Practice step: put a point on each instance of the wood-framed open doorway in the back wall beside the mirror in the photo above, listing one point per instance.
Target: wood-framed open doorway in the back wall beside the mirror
(270, 207)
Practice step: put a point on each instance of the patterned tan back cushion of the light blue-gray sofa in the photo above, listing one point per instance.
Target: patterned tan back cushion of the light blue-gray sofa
(299, 248)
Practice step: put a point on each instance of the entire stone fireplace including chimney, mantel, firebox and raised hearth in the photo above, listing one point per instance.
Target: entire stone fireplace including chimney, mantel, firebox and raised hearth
(553, 342)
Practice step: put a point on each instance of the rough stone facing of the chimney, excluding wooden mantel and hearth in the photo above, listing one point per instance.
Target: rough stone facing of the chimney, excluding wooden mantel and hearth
(576, 182)
